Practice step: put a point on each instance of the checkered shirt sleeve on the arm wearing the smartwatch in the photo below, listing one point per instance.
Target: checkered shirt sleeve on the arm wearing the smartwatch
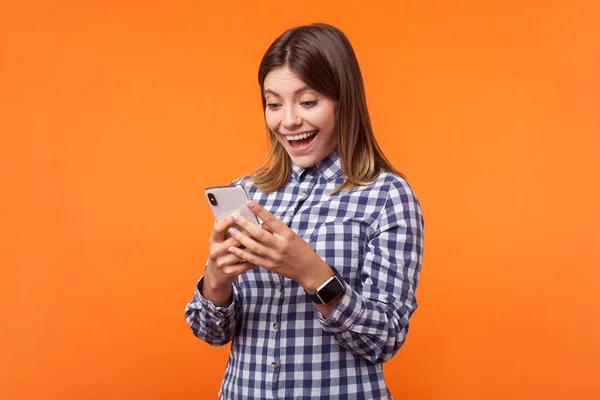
(372, 320)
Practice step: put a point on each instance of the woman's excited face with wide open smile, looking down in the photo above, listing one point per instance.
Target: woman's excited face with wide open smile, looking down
(302, 119)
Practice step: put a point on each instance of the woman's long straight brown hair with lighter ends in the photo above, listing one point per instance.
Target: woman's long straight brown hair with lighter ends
(323, 58)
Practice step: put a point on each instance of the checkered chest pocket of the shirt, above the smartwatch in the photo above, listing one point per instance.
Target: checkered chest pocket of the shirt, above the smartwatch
(341, 245)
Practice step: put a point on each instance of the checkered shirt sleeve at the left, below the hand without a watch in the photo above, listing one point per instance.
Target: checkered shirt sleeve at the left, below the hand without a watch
(215, 325)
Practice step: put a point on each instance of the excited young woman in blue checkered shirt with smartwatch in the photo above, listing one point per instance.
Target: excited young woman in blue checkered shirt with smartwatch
(316, 300)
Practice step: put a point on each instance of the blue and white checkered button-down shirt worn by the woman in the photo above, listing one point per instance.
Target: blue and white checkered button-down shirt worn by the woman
(282, 347)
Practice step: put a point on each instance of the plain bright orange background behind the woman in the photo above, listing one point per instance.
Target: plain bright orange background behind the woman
(114, 117)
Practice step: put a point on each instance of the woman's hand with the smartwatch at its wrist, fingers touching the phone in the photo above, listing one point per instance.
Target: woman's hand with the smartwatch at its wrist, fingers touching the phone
(279, 249)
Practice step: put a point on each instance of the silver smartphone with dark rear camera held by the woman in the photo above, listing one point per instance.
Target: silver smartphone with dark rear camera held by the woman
(225, 200)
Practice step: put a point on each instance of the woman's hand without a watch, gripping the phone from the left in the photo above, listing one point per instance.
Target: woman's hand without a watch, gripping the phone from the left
(223, 267)
